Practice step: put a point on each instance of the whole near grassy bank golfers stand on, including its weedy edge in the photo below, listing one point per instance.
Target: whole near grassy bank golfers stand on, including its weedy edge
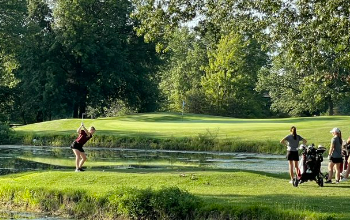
(195, 194)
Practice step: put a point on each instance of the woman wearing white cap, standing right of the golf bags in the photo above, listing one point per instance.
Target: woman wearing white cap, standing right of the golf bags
(335, 156)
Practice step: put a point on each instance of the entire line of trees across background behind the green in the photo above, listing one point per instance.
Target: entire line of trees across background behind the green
(240, 58)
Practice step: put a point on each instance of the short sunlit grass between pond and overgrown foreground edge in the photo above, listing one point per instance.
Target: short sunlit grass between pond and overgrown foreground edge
(217, 187)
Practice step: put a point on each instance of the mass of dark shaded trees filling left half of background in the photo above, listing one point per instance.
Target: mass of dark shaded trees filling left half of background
(71, 55)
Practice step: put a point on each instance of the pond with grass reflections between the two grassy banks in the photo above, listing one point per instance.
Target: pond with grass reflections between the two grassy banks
(16, 159)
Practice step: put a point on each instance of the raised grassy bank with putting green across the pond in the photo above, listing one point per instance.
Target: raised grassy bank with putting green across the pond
(192, 132)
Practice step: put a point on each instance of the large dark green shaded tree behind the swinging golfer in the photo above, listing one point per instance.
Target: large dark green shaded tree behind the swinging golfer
(98, 47)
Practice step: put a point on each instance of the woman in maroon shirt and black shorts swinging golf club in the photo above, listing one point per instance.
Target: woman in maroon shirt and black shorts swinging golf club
(77, 146)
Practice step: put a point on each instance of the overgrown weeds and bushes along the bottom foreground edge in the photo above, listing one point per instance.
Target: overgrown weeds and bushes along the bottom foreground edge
(167, 204)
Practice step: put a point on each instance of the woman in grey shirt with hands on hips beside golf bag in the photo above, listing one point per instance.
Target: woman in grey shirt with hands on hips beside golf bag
(291, 141)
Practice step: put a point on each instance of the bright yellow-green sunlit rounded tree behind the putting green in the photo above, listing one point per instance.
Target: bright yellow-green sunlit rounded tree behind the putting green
(231, 77)
